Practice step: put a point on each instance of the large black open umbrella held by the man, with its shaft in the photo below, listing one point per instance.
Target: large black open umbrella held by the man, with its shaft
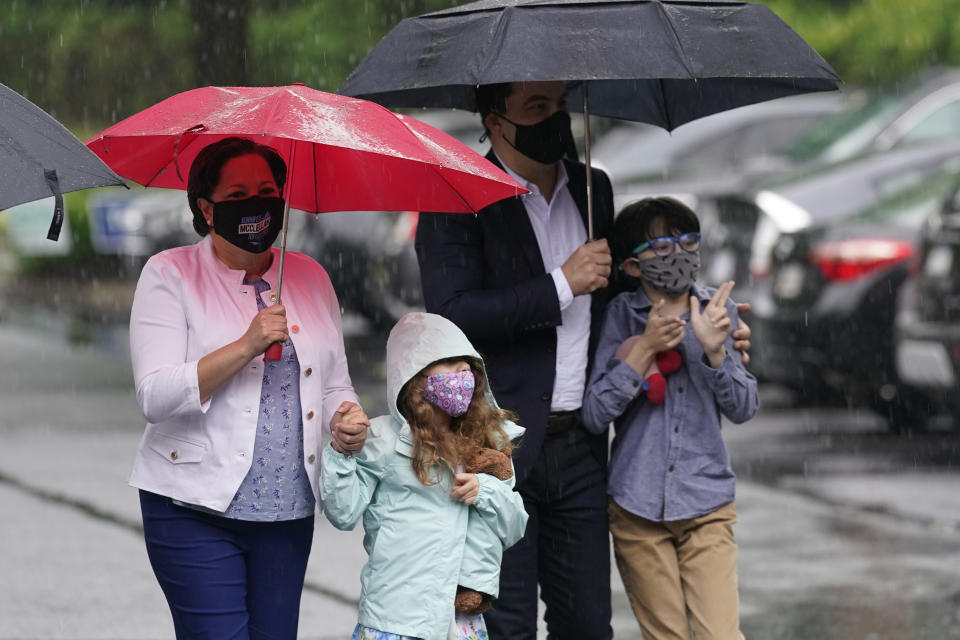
(665, 62)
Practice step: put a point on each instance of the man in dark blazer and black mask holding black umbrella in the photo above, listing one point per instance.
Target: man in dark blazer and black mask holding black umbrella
(528, 288)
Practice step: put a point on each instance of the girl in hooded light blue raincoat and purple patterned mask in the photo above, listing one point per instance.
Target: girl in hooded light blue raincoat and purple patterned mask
(423, 518)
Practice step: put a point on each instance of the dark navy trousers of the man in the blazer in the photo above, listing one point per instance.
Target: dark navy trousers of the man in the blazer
(566, 549)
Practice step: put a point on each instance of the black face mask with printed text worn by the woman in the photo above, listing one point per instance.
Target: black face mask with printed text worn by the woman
(251, 224)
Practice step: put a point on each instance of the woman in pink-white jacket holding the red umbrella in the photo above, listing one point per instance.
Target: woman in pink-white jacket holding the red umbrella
(228, 467)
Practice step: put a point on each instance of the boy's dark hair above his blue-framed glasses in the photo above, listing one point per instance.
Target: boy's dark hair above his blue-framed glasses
(635, 221)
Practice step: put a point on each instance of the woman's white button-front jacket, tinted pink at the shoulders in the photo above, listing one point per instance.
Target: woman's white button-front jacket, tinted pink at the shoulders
(187, 304)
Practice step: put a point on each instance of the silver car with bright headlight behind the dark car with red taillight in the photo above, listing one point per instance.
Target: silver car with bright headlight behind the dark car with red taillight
(742, 225)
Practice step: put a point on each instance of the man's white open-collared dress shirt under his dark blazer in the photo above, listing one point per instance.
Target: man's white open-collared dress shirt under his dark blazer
(559, 230)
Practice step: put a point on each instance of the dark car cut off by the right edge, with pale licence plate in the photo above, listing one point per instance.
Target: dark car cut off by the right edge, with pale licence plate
(927, 335)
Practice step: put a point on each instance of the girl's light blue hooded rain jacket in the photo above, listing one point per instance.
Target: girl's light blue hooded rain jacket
(416, 535)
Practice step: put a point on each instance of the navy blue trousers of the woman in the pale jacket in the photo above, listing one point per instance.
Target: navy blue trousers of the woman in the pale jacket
(227, 579)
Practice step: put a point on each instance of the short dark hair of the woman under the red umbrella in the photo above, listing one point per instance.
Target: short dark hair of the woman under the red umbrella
(207, 166)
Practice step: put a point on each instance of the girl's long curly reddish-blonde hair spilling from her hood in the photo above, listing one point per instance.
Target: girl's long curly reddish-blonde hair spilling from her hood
(480, 426)
